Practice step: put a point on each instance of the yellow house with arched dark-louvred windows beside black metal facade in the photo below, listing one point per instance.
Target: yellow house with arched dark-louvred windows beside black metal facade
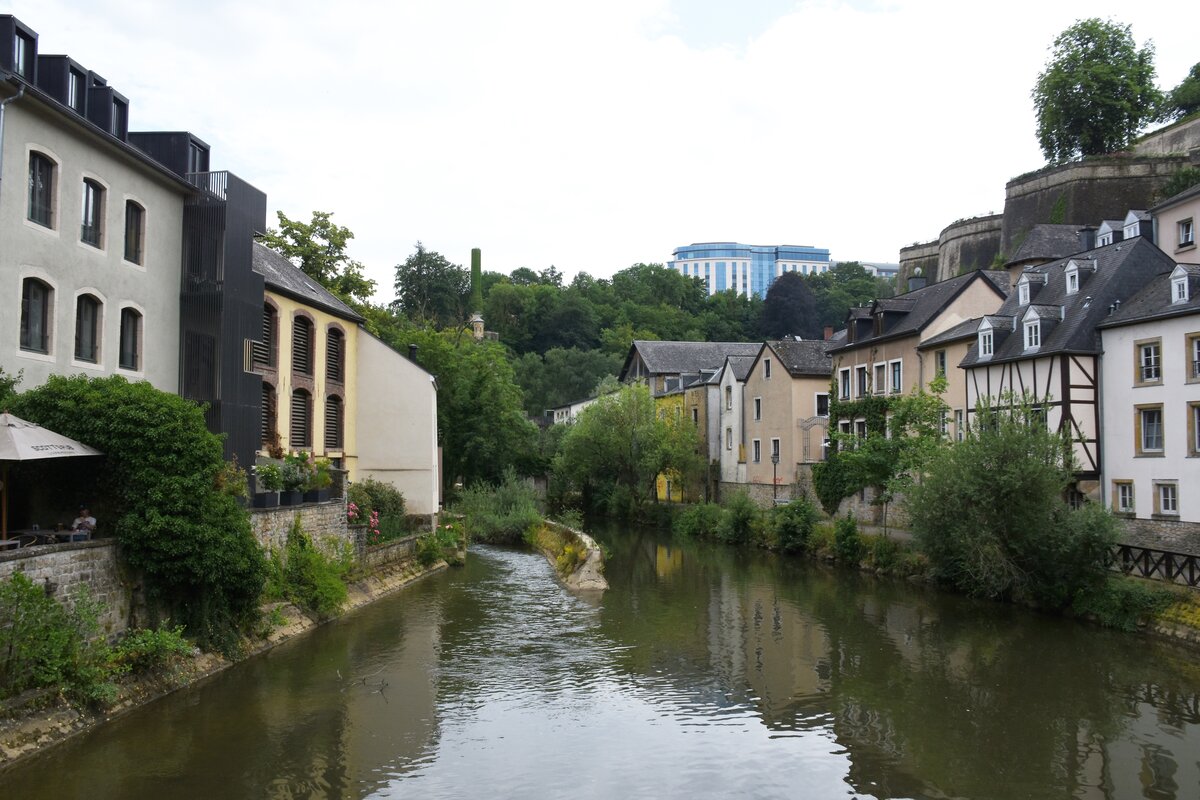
(308, 358)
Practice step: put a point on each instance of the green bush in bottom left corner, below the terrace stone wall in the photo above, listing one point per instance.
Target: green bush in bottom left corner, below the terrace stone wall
(47, 645)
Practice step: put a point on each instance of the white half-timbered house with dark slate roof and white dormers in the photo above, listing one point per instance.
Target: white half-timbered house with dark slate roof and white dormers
(1043, 344)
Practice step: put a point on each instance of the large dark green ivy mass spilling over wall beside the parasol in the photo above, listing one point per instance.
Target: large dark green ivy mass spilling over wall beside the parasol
(158, 486)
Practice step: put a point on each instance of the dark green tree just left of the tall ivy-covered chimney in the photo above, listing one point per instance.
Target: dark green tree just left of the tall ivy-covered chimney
(431, 290)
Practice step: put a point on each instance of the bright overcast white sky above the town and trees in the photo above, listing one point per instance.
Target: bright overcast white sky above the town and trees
(596, 136)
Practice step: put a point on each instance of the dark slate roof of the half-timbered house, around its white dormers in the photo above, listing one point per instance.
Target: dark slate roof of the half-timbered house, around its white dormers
(1123, 269)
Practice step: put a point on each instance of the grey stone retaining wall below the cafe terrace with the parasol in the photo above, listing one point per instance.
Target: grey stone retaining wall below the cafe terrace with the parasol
(63, 570)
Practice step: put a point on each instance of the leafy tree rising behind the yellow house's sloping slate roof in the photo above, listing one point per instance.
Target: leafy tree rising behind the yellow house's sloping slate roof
(319, 248)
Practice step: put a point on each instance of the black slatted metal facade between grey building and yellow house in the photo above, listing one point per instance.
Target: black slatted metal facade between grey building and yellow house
(221, 309)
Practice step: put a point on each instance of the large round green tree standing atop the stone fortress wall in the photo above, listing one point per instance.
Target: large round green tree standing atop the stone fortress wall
(1097, 92)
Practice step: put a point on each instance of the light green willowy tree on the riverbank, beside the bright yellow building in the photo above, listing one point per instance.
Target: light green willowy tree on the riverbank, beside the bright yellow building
(620, 444)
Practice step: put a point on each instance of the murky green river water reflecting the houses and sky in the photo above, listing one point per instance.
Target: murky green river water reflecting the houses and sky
(701, 673)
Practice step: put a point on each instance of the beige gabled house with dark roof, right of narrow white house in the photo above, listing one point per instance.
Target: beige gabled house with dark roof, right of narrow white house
(787, 411)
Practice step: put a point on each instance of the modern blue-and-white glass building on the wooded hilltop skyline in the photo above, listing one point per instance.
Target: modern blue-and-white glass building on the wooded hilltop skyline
(747, 269)
